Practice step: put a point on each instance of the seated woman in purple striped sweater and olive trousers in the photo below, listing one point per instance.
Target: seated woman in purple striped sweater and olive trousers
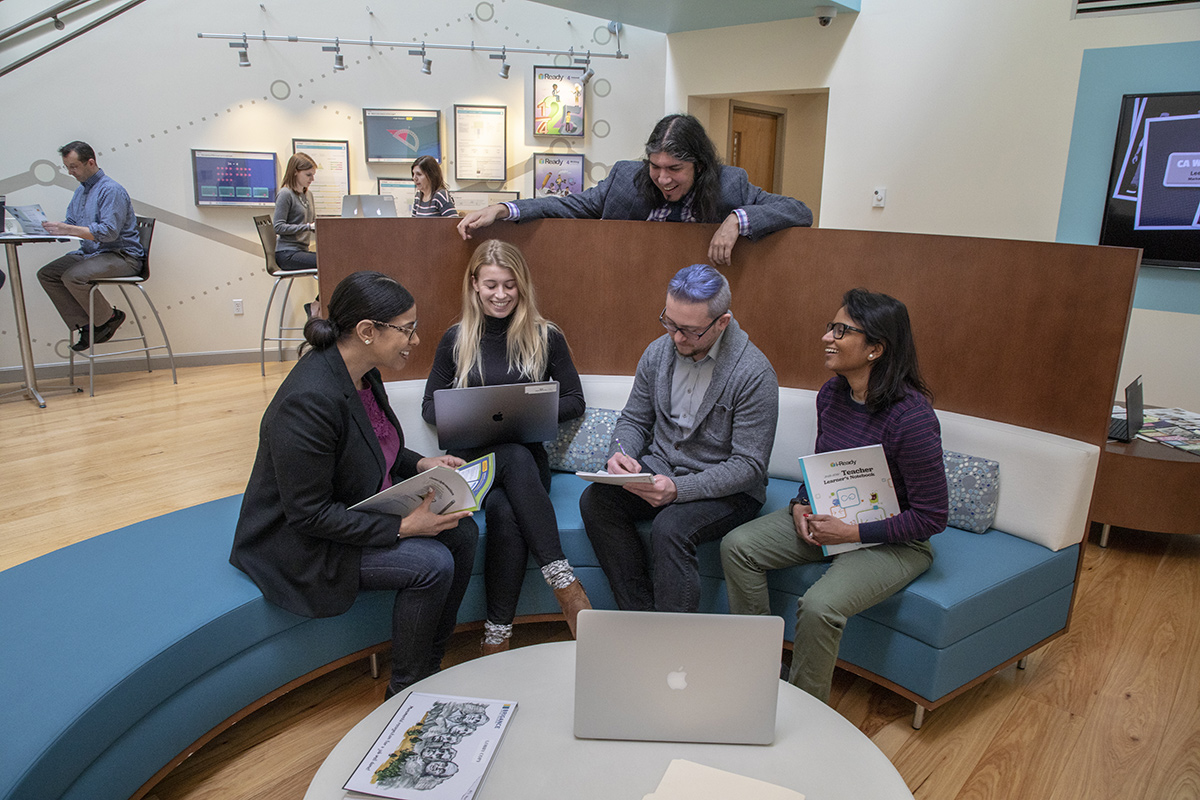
(878, 396)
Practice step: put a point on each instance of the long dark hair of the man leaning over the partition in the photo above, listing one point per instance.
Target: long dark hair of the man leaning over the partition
(683, 137)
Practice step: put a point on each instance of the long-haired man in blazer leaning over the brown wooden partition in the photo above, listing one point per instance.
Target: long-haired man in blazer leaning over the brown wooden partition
(681, 181)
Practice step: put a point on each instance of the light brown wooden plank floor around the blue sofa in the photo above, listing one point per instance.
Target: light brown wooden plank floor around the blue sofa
(1109, 711)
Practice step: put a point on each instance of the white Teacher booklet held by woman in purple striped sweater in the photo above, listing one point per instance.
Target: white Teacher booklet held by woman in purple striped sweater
(853, 485)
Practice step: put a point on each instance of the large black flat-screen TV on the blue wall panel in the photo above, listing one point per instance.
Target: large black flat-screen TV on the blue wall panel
(1154, 200)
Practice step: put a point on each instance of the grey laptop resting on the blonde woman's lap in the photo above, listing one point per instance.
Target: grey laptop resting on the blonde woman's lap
(481, 417)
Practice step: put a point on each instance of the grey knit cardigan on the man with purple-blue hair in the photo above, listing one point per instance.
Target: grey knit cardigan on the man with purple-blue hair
(729, 448)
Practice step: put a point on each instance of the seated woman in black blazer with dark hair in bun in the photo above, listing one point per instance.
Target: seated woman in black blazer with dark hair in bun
(328, 441)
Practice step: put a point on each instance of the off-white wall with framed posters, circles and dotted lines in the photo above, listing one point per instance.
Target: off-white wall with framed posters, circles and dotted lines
(143, 91)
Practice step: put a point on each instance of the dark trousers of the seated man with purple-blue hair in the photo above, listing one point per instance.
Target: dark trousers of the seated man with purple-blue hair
(610, 518)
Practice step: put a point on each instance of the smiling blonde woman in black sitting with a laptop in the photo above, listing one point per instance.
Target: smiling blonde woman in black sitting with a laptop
(502, 339)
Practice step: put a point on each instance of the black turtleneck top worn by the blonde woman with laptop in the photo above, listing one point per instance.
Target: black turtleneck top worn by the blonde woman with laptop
(495, 358)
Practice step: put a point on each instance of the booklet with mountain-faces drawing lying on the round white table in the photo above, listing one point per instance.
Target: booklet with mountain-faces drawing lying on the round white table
(436, 748)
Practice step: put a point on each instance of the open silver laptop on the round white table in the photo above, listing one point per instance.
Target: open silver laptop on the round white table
(656, 677)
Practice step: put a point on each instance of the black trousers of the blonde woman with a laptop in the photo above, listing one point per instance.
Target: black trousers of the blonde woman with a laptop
(520, 522)
